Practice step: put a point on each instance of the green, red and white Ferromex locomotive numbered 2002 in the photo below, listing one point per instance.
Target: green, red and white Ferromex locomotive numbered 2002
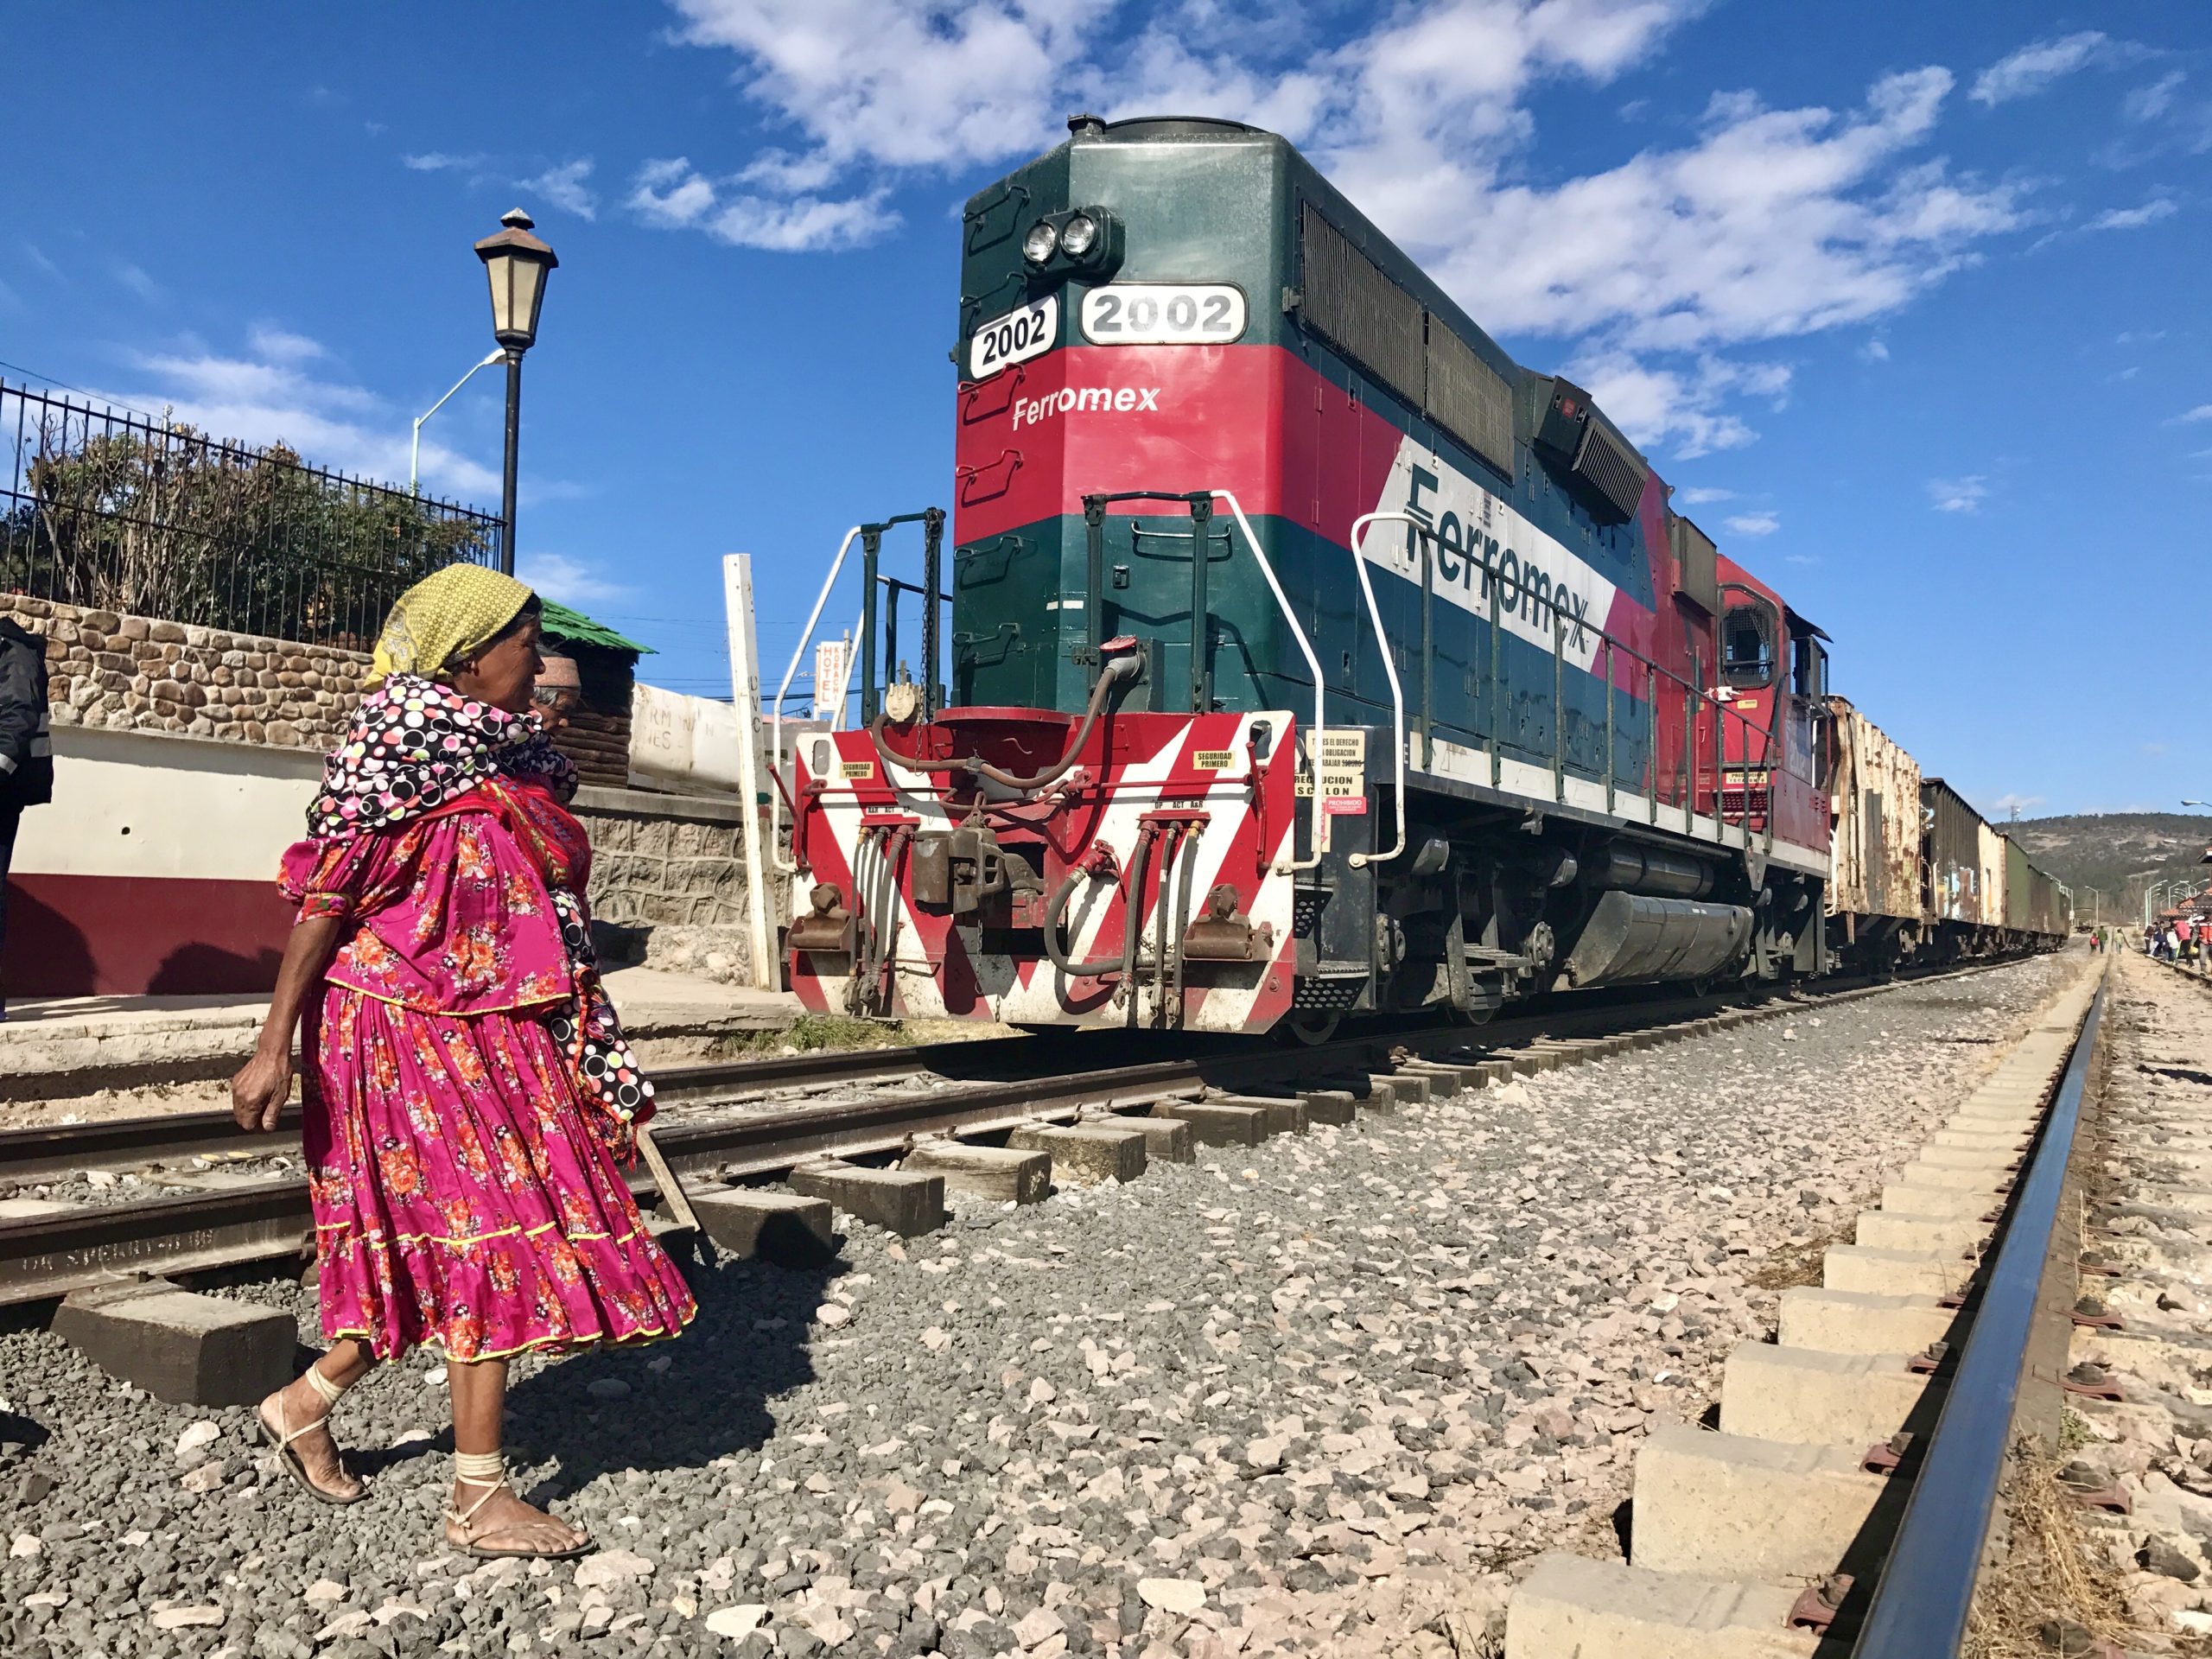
(1308, 656)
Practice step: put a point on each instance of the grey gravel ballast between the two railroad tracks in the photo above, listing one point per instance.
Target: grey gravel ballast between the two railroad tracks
(1311, 1397)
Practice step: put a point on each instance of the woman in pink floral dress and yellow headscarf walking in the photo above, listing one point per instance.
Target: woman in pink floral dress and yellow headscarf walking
(468, 1089)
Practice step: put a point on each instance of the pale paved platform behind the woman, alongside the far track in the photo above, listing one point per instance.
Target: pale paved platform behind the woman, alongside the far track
(76, 1045)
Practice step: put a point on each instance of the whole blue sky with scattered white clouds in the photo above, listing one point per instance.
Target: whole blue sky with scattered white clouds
(1908, 300)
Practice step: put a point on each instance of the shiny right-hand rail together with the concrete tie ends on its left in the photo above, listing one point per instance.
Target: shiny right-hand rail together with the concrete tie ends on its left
(1846, 1503)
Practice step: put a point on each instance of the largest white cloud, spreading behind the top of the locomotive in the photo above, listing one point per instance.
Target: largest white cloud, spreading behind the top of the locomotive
(1764, 225)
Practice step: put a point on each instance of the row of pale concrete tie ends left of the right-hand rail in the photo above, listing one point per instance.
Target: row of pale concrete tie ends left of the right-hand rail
(1733, 1527)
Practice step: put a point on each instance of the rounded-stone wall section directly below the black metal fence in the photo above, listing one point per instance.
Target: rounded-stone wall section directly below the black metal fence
(143, 676)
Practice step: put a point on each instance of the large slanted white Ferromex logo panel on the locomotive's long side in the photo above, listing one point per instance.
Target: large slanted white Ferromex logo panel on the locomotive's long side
(1483, 543)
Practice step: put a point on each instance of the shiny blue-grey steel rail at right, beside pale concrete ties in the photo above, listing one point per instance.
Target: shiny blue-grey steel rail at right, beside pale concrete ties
(1926, 1589)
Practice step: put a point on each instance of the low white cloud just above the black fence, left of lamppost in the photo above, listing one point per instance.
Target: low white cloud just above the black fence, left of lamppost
(271, 395)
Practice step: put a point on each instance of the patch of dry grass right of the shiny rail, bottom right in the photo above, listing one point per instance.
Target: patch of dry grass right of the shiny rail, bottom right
(2052, 1572)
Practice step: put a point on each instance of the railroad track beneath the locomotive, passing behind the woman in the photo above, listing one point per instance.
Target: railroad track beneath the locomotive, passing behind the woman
(98, 1204)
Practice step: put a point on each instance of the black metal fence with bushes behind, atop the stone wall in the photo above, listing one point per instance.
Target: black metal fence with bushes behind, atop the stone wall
(114, 512)
